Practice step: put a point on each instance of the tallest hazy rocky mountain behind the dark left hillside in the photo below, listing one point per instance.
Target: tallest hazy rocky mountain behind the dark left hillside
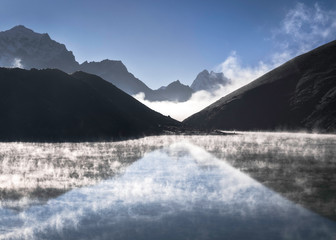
(34, 50)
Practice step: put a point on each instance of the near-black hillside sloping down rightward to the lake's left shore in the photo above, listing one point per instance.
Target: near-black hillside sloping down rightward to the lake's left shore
(50, 105)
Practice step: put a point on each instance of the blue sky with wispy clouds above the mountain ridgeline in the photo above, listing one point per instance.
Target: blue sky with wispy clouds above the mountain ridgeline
(162, 41)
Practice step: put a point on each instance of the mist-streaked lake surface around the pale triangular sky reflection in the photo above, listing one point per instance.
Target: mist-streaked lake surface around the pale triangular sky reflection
(298, 166)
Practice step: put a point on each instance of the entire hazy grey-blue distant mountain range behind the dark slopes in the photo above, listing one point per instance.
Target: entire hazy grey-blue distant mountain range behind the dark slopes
(22, 47)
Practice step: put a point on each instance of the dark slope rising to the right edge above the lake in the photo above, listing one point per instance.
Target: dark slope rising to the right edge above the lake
(298, 95)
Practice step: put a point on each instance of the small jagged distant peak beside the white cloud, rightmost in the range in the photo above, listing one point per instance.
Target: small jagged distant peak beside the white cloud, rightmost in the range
(209, 81)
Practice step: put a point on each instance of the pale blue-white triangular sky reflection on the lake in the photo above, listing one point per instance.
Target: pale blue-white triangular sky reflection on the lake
(178, 192)
